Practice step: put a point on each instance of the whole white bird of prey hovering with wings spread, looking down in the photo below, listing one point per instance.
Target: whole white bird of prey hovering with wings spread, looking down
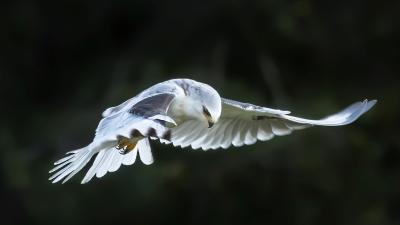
(185, 113)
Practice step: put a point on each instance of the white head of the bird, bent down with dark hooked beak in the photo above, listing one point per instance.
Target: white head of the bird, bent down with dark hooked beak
(206, 103)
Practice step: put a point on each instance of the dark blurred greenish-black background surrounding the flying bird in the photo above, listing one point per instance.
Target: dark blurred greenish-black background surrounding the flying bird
(63, 62)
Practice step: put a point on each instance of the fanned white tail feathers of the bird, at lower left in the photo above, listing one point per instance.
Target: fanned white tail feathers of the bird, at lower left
(108, 159)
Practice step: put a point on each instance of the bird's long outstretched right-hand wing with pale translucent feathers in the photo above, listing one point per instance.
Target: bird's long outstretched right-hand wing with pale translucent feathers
(244, 123)
